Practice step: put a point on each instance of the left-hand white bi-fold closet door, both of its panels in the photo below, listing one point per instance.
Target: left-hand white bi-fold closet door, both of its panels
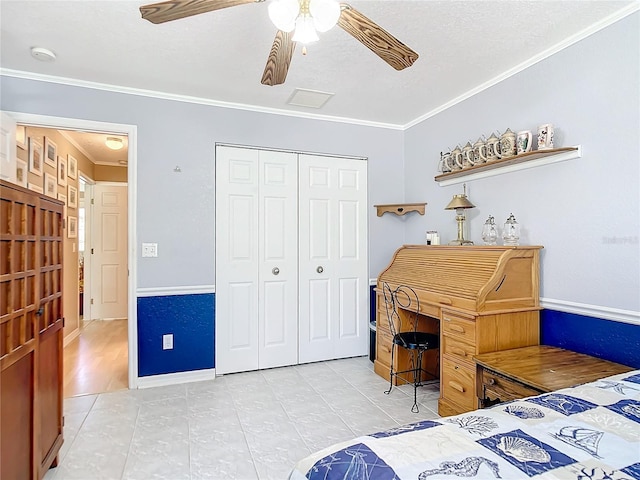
(256, 259)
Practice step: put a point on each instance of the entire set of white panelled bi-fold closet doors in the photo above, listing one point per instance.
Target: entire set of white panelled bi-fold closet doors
(291, 258)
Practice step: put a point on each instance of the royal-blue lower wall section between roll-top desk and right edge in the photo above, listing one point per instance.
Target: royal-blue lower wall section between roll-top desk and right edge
(615, 341)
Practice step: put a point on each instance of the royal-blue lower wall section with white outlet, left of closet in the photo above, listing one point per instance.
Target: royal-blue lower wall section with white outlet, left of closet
(190, 318)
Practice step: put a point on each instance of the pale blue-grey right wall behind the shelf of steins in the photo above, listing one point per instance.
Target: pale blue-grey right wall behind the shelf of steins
(585, 212)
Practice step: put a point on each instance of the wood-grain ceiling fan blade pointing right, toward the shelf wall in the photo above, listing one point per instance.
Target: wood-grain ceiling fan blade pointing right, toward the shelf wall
(377, 39)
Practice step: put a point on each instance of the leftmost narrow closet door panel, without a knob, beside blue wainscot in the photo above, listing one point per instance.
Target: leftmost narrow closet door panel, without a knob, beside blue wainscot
(236, 260)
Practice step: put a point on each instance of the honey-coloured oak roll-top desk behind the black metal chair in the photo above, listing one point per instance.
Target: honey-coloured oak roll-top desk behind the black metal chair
(481, 298)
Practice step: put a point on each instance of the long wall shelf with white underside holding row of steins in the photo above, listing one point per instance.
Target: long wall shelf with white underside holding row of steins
(532, 159)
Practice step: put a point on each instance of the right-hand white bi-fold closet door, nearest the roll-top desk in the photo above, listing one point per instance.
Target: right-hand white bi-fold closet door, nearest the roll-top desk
(334, 291)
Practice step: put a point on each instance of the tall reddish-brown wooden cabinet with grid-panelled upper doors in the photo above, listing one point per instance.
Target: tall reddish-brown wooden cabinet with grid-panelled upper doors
(31, 235)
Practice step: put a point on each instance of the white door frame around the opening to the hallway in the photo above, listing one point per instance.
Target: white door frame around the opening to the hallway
(46, 121)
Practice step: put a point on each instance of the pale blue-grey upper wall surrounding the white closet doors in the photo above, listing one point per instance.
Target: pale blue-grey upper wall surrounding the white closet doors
(177, 210)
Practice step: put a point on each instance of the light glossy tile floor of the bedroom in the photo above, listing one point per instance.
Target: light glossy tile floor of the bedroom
(244, 426)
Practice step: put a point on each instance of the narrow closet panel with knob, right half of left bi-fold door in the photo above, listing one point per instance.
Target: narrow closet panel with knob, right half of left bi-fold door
(278, 259)
